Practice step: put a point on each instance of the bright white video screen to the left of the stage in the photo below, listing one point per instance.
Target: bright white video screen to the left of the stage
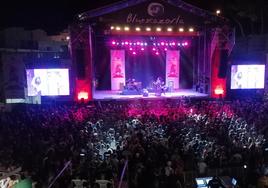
(48, 82)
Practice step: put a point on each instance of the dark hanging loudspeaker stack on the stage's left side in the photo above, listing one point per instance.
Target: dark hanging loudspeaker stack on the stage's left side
(80, 64)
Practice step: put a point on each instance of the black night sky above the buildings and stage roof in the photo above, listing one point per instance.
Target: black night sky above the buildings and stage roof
(54, 16)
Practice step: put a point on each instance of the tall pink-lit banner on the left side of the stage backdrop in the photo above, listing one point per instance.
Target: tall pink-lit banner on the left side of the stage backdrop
(117, 69)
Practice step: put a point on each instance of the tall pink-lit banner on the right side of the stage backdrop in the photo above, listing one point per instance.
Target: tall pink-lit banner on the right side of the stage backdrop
(172, 69)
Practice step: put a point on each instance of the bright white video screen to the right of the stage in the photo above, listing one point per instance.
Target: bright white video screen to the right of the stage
(247, 76)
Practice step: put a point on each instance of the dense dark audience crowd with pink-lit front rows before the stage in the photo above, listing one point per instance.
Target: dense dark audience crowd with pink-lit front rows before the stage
(135, 143)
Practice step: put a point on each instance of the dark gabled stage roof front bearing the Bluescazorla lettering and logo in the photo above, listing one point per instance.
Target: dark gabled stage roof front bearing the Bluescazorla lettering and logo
(151, 12)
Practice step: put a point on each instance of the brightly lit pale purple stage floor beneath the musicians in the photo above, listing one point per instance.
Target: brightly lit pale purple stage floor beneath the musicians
(100, 95)
